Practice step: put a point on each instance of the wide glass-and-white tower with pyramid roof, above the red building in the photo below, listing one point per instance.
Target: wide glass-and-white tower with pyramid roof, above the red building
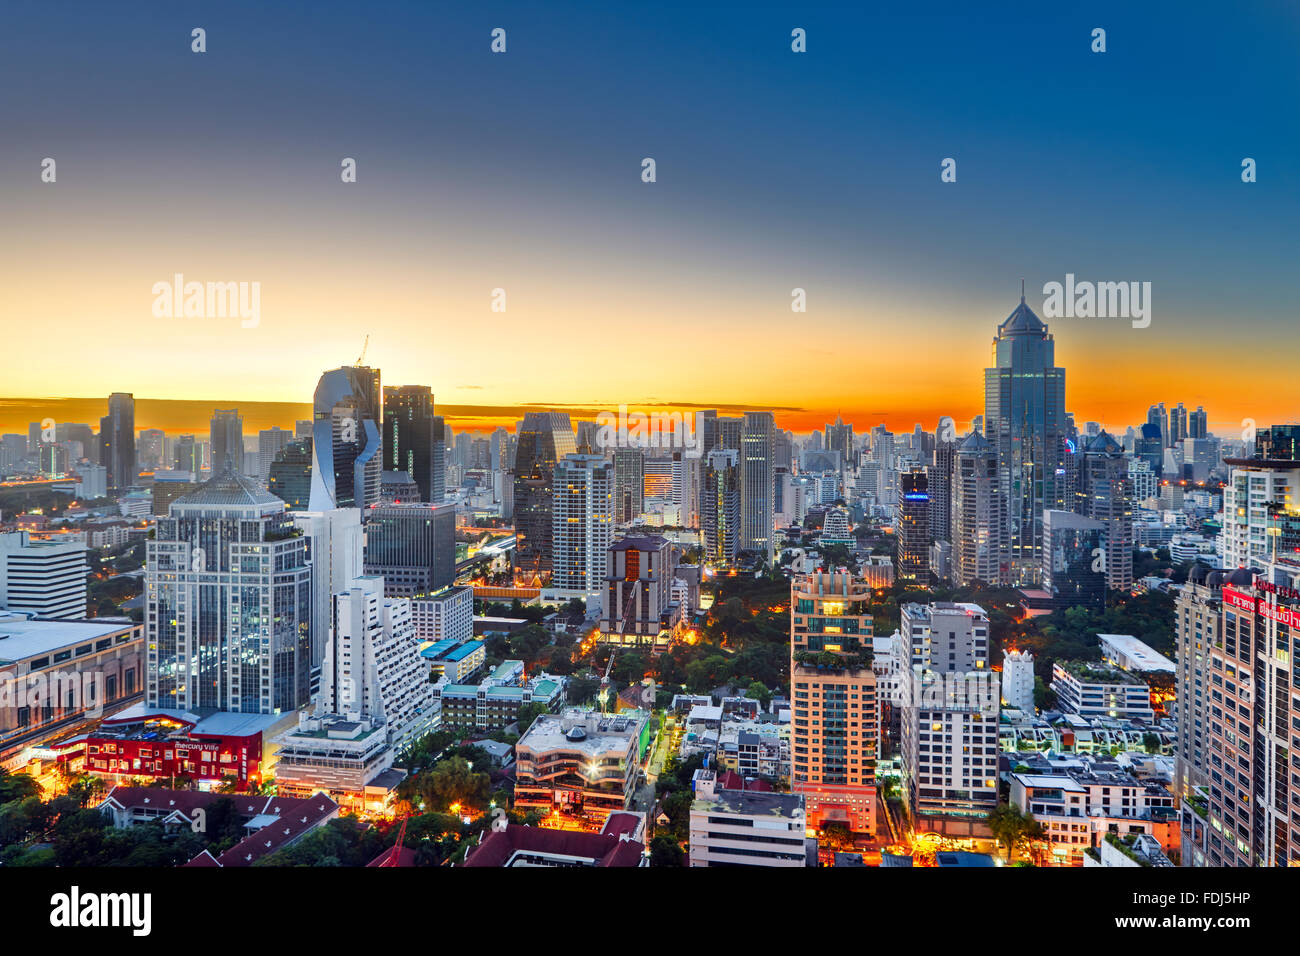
(228, 592)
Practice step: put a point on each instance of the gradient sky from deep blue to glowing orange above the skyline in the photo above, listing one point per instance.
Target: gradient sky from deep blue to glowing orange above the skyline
(775, 171)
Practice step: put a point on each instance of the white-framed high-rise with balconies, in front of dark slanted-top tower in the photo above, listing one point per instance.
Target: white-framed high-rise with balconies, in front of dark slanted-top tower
(582, 525)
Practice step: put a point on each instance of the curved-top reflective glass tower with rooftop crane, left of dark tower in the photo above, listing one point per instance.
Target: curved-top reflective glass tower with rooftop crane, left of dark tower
(348, 457)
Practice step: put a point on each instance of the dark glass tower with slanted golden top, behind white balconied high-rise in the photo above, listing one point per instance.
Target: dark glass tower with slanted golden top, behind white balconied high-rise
(545, 438)
